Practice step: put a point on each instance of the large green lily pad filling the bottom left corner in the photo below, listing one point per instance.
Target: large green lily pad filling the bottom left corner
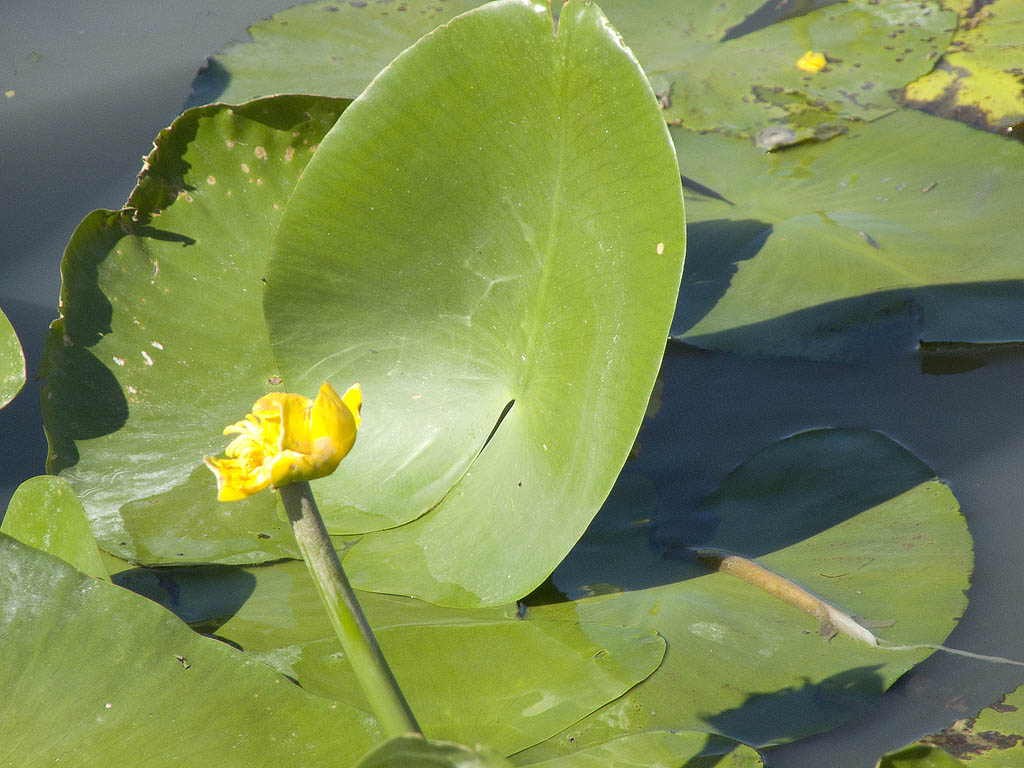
(140, 689)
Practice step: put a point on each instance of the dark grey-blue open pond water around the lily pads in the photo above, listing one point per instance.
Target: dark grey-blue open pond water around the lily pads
(95, 82)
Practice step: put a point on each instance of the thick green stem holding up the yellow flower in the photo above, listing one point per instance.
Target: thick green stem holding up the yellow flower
(357, 638)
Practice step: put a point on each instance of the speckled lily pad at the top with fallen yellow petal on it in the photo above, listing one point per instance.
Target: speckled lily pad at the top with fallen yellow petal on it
(732, 67)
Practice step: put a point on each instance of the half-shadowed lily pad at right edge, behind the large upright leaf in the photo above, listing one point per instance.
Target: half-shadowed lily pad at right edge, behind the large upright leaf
(828, 250)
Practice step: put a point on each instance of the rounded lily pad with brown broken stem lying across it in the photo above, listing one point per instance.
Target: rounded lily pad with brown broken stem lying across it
(752, 668)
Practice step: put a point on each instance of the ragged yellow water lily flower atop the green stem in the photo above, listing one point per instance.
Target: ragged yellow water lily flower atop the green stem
(287, 439)
